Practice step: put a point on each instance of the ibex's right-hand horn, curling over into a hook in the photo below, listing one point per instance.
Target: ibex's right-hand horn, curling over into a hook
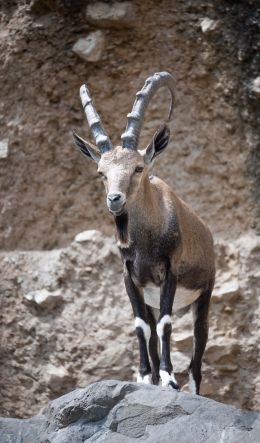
(134, 120)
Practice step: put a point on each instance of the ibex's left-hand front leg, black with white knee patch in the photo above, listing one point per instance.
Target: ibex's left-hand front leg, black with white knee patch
(143, 330)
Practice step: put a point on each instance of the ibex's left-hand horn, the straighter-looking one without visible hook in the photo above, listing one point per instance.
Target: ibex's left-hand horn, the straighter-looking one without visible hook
(101, 138)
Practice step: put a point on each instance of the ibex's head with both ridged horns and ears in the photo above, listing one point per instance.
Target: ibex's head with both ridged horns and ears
(124, 168)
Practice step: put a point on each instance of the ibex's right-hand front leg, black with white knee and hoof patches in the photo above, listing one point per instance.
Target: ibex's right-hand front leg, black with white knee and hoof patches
(164, 329)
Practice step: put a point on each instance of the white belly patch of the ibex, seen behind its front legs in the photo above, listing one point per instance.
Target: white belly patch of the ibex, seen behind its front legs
(183, 297)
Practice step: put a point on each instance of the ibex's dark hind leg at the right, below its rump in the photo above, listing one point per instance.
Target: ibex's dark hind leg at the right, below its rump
(200, 310)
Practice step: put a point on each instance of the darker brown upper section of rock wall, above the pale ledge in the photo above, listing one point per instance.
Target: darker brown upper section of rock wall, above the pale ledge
(48, 192)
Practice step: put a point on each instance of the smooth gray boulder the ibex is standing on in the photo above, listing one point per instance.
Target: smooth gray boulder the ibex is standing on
(115, 411)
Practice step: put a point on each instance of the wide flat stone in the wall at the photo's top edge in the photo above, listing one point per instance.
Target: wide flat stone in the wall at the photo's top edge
(115, 14)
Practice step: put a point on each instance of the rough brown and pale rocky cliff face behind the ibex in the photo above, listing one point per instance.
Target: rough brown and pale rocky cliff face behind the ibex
(74, 324)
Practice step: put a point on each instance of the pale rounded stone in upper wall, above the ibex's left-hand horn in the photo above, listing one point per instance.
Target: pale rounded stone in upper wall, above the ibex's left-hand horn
(91, 47)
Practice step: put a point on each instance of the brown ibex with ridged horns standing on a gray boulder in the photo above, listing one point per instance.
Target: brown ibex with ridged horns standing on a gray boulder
(167, 251)
